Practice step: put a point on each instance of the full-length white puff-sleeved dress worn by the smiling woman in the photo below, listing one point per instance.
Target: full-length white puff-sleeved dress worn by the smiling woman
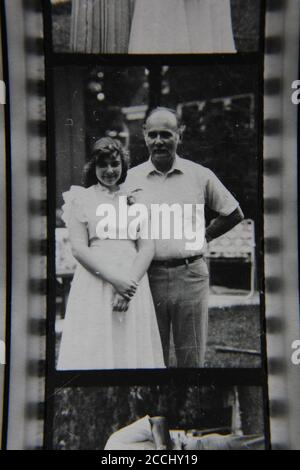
(94, 336)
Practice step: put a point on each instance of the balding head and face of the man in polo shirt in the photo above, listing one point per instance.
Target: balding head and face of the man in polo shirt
(162, 137)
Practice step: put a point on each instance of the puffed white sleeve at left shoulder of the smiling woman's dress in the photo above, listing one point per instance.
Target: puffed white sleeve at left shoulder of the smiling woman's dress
(75, 204)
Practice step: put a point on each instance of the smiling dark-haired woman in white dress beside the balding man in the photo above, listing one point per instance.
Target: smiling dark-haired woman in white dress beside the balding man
(110, 321)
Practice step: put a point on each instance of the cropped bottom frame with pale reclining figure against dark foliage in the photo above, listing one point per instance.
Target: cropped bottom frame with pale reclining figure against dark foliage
(159, 418)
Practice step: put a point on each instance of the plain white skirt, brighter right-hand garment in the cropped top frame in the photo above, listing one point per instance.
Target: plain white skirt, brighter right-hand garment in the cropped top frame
(181, 26)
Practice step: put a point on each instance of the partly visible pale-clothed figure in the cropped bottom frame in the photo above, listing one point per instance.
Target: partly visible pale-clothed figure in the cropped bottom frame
(153, 434)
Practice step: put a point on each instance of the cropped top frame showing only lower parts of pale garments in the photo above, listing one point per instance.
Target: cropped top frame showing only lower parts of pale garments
(156, 26)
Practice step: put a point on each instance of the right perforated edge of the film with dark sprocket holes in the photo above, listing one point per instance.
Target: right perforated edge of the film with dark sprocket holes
(280, 220)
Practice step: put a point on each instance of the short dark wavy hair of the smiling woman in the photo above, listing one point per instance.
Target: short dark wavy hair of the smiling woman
(104, 147)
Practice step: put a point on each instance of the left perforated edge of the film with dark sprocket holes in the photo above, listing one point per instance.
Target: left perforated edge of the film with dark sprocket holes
(26, 386)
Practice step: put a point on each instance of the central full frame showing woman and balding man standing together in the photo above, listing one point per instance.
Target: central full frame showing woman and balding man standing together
(172, 136)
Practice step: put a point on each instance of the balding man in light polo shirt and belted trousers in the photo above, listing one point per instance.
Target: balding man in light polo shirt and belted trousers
(178, 275)
